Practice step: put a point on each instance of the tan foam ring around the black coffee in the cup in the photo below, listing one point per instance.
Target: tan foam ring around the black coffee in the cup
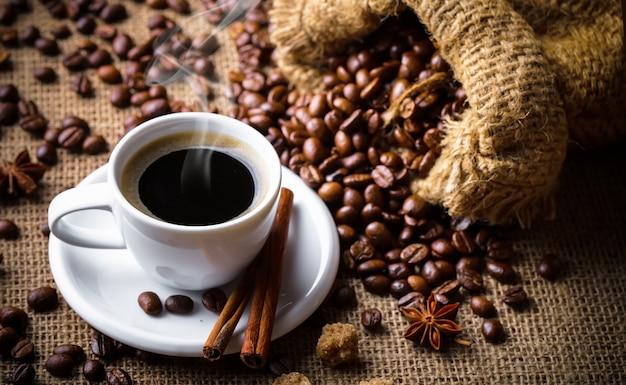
(148, 153)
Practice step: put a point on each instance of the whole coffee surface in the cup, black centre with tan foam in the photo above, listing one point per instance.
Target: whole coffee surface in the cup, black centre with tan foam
(193, 178)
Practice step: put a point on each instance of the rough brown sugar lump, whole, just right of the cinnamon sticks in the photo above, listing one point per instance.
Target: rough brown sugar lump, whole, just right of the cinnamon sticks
(338, 344)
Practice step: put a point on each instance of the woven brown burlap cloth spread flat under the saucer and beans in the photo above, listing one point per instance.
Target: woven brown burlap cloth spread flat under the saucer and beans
(574, 332)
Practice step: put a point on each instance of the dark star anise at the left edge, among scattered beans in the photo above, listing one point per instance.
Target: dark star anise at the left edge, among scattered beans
(20, 176)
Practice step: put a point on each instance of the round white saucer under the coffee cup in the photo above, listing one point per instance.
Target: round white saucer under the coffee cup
(102, 285)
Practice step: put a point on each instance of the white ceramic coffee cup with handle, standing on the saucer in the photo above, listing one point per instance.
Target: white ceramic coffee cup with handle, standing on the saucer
(191, 257)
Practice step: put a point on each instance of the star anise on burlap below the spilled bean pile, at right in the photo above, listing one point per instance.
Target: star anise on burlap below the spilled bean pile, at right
(429, 322)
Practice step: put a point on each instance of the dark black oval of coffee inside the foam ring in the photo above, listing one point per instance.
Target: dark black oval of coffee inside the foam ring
(198, 186)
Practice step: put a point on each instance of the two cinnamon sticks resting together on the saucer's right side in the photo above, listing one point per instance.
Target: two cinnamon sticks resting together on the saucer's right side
(261, 283)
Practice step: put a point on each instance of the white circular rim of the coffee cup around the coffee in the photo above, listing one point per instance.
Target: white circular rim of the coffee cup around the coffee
(258, 142)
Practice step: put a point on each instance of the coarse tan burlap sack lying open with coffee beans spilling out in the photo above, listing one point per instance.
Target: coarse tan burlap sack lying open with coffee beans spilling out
(541, 77)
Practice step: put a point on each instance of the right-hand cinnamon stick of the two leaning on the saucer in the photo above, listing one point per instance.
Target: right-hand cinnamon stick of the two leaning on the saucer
(256, 344)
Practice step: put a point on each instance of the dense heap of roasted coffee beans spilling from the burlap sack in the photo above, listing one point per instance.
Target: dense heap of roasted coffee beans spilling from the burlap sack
(337, 140)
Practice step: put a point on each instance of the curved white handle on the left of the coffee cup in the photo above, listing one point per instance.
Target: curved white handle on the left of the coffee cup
(97, 196)
